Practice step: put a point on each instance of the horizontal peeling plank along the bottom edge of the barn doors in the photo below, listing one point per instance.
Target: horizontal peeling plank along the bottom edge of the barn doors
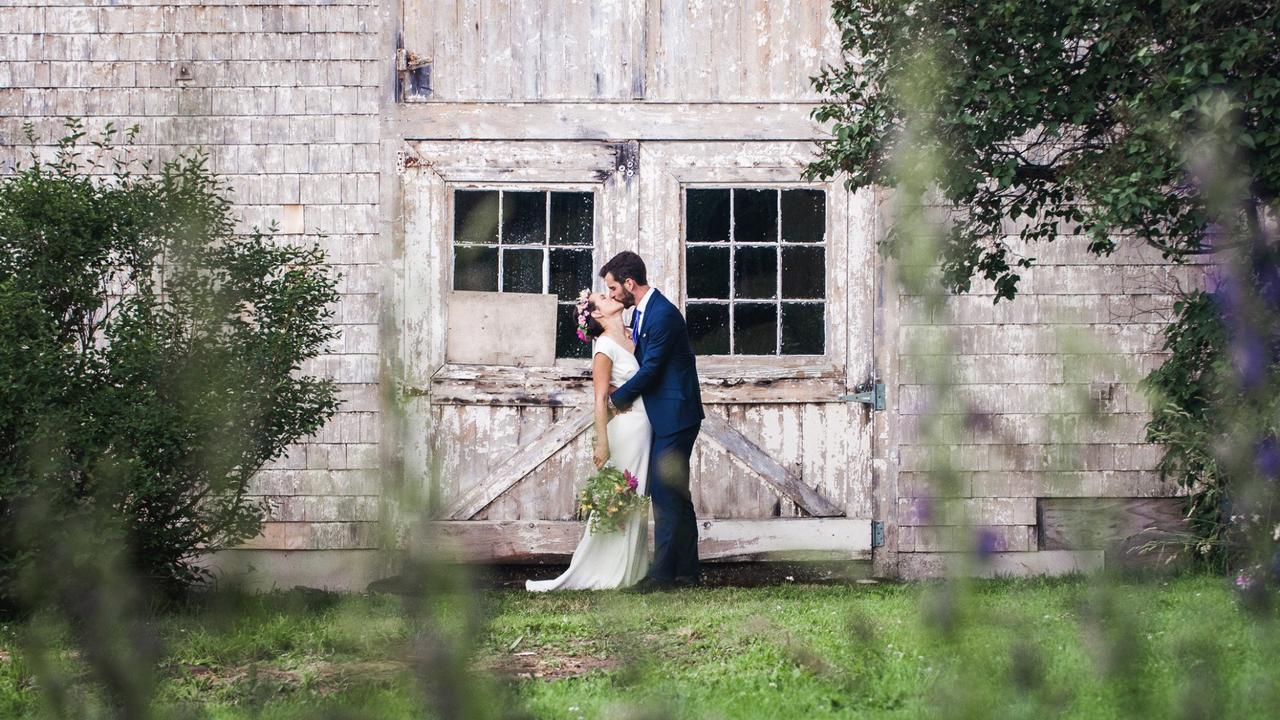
(719, 540)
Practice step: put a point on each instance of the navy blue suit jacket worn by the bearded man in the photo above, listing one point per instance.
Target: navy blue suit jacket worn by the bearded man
(668, 379)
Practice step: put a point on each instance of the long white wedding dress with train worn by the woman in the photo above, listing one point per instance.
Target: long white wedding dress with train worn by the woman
(618, 559)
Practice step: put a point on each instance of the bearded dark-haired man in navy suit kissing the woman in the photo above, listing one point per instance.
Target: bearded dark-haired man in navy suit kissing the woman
(668, 381)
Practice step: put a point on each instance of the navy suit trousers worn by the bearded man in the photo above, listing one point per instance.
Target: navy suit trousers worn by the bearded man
(675, 527)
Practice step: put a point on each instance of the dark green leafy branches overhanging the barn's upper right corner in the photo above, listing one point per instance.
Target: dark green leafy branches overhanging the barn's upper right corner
(1068, 119)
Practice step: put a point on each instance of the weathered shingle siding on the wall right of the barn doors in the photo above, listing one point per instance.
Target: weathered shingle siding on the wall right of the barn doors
(1045, 391)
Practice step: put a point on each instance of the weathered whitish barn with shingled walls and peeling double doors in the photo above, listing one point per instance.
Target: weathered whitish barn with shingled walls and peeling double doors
(447, 153)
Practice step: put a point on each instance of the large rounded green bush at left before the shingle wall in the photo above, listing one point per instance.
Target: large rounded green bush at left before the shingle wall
(149, 361)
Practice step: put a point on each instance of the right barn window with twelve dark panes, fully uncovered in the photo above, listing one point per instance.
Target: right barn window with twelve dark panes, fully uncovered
(756, 271)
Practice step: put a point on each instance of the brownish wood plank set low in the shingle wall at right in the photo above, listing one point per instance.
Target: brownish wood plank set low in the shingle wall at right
(1119, 526)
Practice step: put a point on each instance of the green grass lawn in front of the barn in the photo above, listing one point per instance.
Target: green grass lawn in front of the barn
(1009, 649)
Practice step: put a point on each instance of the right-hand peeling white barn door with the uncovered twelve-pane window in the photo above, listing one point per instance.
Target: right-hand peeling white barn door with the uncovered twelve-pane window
(778, 298)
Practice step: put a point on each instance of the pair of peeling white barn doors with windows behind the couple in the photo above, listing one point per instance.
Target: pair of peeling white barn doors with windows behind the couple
(760, 262)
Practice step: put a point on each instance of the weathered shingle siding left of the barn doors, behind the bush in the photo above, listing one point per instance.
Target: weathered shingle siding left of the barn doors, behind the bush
(285, 97)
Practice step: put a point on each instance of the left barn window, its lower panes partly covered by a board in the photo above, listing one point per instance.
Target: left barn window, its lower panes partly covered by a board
(527, 241)
